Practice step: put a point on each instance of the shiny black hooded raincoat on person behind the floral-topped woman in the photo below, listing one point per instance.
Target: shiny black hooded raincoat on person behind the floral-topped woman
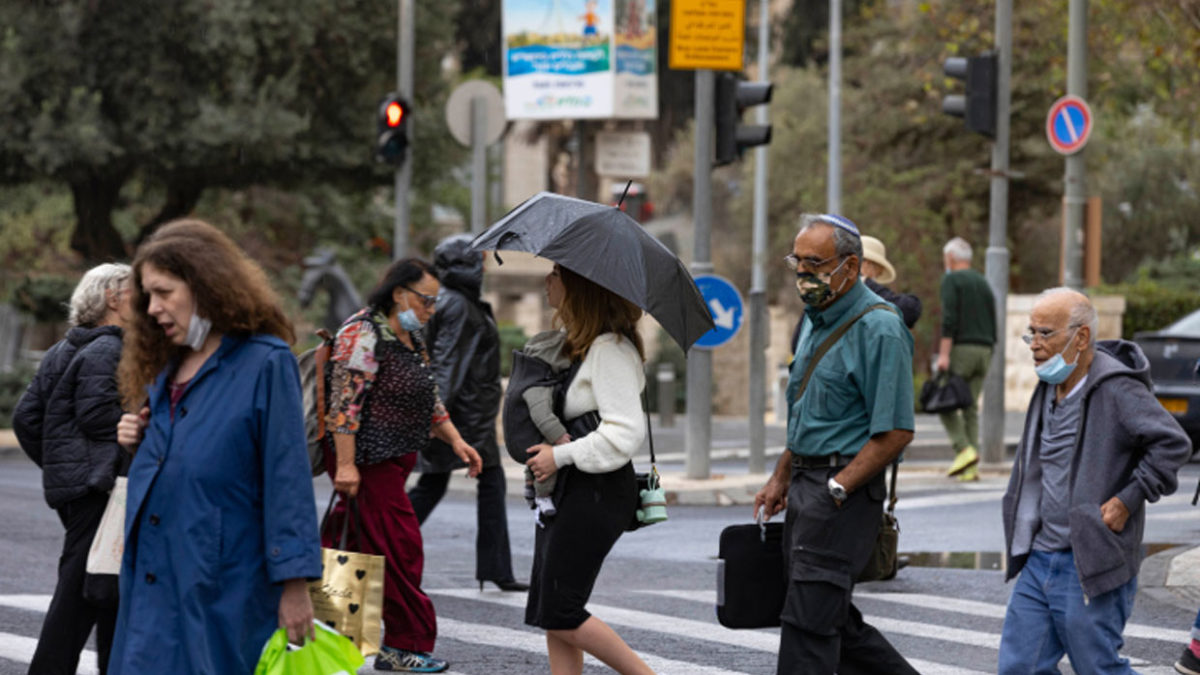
(466, 351)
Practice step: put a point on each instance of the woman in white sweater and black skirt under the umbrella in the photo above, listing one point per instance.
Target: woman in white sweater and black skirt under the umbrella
(598, 492)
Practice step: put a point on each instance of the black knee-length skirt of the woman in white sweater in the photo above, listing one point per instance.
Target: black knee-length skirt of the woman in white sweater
(592, 512)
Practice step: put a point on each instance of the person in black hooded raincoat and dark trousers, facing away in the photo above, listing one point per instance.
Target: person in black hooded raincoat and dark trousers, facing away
(466, 357)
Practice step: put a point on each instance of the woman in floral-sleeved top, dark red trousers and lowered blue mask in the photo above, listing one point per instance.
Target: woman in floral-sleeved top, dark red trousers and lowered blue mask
(383, 408)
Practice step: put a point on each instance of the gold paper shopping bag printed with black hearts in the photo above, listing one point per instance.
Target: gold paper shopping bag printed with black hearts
(350, 596)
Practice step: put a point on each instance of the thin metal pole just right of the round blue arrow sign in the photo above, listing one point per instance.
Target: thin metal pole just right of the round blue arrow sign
(759, 272)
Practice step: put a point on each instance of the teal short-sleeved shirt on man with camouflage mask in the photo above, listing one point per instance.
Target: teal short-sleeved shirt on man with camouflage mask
(863, 385)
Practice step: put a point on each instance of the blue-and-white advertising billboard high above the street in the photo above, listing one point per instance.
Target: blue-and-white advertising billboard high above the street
(580, 59)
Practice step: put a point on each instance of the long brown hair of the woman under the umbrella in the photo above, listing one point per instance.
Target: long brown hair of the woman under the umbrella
(590, 310)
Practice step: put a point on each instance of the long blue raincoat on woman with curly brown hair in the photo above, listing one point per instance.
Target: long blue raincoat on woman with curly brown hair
(220, 513)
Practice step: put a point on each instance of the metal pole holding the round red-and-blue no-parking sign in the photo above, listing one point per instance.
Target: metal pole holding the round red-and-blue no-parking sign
(1077, 171)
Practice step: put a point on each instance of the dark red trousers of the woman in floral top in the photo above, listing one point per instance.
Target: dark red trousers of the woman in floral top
(391, 529)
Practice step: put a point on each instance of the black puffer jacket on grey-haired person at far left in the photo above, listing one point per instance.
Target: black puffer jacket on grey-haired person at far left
(67, 420)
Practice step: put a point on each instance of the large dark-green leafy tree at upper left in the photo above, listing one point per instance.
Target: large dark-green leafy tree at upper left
(197, 94)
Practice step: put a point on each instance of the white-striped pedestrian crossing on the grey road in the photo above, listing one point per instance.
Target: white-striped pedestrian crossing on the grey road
(676, 634)
